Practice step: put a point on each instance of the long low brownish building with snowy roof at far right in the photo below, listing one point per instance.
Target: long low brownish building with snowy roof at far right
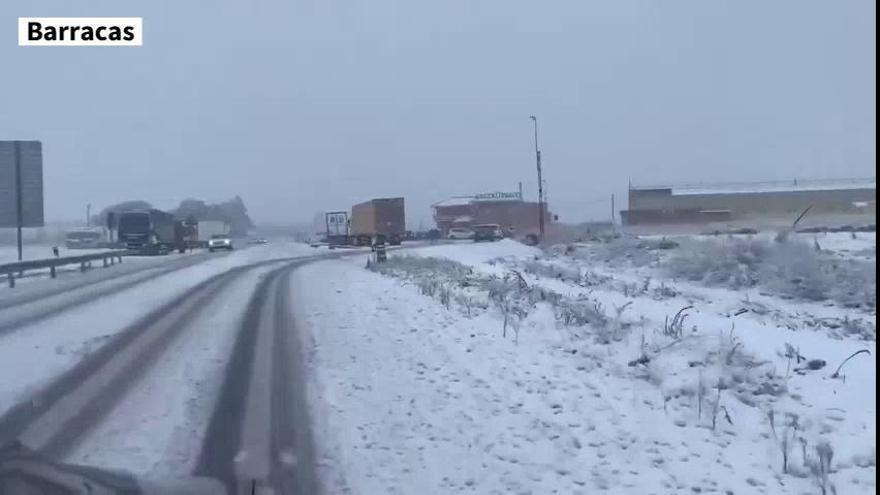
(710, 203)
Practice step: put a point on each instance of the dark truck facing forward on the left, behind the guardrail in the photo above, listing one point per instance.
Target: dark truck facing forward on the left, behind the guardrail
(147, 231)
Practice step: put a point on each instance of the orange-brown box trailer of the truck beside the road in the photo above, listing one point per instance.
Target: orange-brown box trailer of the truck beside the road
(378, 221)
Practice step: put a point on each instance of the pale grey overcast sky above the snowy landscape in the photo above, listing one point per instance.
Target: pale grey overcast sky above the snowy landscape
(300, 106)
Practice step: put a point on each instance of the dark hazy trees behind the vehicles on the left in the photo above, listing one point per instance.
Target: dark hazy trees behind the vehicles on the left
(191, 210)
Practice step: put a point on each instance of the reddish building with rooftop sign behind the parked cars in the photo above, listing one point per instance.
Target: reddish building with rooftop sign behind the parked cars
(506, 209)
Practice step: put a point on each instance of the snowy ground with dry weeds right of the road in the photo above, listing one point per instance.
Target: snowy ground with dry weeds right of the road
(497, 368)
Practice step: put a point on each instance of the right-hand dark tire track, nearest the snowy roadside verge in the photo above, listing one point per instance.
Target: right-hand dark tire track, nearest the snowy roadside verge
(259, 435)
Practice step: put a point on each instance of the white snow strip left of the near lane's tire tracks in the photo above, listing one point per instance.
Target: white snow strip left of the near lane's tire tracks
(34, 354)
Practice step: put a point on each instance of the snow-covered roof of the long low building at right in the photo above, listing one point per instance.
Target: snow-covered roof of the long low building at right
(765, 187)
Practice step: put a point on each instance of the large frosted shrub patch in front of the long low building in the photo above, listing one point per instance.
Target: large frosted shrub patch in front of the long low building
(789, 268)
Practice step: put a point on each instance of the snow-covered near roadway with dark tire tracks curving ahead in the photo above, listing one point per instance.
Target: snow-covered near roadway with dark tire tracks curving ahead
(143, 371)
